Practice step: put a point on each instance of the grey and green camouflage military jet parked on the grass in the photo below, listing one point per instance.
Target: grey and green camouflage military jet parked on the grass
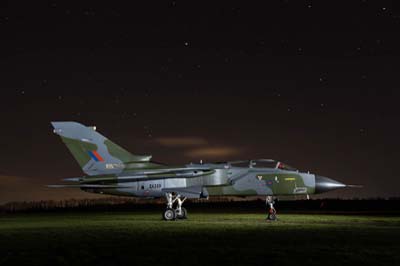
(110, 169)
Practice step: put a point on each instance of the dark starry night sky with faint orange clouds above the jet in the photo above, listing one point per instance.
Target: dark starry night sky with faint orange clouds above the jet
(312, 83)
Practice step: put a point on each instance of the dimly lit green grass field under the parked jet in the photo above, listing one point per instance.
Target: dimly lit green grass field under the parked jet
(203, 239)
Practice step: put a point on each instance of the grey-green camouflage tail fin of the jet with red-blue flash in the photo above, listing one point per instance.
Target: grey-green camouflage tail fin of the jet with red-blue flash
(95, 153)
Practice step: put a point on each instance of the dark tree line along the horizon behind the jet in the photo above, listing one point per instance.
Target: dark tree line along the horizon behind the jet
(377, 205)
